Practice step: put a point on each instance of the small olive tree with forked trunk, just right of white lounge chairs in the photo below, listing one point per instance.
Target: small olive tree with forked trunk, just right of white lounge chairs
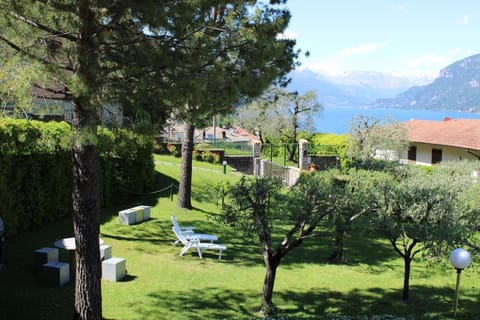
(259, 205)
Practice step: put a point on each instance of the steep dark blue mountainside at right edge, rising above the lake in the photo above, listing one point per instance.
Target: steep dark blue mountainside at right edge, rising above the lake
(456, 88)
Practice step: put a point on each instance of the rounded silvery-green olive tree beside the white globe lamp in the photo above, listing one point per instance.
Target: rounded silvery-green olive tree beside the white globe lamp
(419, 209)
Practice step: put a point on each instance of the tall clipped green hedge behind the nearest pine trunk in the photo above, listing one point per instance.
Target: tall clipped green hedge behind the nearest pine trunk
(36, 170)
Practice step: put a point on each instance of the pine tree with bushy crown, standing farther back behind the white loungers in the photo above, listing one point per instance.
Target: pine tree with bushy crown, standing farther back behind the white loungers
(232, 51)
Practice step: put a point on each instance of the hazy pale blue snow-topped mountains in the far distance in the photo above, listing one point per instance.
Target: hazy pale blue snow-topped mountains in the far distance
(358, 88)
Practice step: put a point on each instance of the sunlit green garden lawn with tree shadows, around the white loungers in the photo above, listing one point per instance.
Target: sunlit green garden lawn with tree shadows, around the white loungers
(162, 285)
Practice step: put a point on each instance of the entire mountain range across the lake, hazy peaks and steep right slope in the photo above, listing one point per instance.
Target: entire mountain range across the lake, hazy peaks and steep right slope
(457, 87)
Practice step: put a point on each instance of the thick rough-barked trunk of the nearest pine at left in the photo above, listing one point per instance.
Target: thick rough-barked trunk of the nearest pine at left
(85, 192)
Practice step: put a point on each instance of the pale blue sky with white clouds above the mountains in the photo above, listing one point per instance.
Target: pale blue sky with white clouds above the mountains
(401, 37)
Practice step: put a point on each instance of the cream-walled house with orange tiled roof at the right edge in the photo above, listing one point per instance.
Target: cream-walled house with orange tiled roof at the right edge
(449, 140)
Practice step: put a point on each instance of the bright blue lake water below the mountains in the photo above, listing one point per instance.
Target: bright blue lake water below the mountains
(337, 119)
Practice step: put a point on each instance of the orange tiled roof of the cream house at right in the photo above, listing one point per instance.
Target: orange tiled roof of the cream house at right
(461, 133)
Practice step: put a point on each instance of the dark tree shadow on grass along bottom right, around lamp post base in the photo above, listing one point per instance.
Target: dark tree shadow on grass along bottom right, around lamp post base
(425, 303)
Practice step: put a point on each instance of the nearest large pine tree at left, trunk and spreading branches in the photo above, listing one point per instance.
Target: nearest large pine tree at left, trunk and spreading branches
(88, 52)
